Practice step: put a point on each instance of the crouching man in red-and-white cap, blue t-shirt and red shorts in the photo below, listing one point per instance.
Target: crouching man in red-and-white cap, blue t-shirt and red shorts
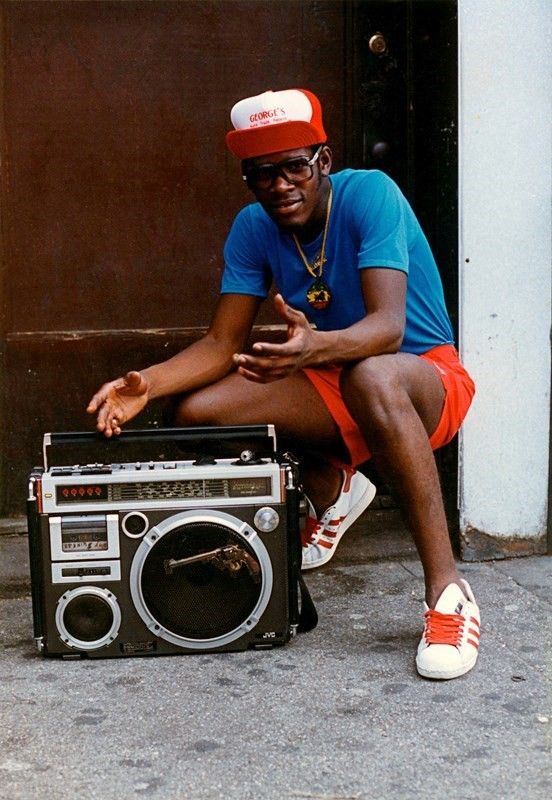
(377, 376)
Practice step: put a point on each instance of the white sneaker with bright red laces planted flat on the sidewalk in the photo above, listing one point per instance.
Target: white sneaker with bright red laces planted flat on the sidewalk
(450, 642)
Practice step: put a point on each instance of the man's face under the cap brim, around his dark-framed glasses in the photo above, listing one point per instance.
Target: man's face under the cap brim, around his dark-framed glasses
(294, 205)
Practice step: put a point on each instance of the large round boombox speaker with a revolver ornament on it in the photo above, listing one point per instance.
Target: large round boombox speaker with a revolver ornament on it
(202, 581)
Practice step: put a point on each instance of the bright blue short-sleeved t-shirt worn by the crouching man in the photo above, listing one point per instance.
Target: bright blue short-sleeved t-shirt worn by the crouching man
(371, 225)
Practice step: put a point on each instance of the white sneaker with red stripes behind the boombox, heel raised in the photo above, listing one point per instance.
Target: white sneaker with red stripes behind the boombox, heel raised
(322, 536)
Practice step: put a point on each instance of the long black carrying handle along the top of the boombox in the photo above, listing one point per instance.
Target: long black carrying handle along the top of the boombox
(198, 435)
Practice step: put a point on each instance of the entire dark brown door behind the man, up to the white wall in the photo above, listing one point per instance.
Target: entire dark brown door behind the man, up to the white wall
(117, 190)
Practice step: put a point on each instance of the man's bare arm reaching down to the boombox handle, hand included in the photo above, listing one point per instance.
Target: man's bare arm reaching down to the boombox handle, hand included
(204, 362)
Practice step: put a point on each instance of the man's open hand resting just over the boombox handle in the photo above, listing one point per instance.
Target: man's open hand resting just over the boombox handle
(119, 401)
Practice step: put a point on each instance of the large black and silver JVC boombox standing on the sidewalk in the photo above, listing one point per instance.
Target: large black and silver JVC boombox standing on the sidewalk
(143, 557)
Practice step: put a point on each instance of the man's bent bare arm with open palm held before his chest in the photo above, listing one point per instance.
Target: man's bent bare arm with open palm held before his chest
(380, 331)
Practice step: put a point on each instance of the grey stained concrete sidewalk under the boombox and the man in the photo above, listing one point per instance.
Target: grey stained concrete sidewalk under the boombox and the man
(337, 714)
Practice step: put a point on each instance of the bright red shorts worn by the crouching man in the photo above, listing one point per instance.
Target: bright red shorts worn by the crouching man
(459, 391)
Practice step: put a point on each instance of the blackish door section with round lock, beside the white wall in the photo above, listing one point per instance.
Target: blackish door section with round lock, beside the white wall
(405, 121)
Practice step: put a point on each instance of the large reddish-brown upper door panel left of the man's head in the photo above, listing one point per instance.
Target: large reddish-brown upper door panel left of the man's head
(119, 189)
